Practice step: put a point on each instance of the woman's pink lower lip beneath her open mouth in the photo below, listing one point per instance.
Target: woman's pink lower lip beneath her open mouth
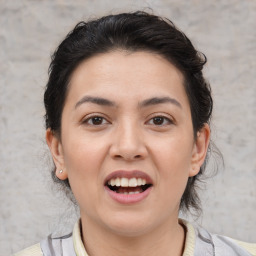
(126, 198)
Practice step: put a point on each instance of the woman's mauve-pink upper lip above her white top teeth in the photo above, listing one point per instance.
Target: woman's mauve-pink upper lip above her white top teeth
(128, 175)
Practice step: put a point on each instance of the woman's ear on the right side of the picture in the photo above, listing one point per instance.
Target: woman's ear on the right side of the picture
(200, 150)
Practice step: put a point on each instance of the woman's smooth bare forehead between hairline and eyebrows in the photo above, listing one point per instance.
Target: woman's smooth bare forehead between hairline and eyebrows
(130, 75)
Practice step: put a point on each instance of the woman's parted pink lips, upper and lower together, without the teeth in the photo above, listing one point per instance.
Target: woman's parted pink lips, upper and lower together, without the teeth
(128, 198)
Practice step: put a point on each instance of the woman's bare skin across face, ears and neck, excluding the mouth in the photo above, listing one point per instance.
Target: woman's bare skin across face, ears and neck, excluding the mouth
(128, 138)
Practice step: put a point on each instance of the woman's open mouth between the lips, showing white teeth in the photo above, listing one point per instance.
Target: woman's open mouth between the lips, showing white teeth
(128, 186)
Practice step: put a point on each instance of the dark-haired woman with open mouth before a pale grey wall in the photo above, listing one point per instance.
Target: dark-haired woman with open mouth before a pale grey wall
(127, 118)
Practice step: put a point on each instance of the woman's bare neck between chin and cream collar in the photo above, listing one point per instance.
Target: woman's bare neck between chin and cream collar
(168, 239)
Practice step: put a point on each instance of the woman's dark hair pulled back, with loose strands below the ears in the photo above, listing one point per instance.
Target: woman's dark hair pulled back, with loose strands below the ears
(138, 31)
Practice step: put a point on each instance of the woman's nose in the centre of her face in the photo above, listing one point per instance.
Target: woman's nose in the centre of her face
(128, 143)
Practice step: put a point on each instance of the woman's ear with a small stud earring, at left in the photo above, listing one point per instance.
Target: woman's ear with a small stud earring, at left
(55, 147)
